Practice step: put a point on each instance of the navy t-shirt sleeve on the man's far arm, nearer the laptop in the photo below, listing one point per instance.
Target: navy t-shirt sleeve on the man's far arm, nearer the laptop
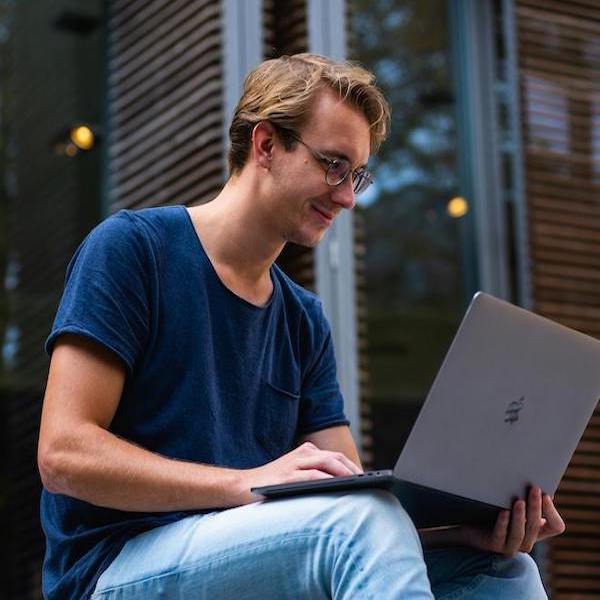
(322, 403)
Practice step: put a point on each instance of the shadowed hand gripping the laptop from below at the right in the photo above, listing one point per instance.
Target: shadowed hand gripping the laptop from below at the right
(518, 530)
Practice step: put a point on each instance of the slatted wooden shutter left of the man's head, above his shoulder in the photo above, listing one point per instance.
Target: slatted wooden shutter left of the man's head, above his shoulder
(165, 102)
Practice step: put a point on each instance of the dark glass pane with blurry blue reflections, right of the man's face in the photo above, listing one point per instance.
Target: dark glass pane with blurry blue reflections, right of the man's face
(414, 266)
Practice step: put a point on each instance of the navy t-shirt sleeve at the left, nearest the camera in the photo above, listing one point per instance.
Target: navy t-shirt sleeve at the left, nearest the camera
(106, 295)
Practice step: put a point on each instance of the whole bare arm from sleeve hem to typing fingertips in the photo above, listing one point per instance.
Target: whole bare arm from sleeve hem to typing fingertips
(79, 457)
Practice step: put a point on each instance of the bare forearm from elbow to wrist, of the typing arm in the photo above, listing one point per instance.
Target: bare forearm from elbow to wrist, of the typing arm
(105, 470)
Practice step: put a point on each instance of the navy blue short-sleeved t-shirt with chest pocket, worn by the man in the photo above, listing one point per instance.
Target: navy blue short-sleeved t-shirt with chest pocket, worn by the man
(210, 377)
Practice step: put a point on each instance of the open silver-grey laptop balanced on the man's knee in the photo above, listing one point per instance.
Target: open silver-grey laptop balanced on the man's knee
(506, 411)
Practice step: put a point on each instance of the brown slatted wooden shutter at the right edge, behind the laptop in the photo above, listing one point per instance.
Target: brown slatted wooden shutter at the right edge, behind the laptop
(559, 63)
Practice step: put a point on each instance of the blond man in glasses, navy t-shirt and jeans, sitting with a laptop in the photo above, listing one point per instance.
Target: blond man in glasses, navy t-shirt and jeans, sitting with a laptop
(186, 368)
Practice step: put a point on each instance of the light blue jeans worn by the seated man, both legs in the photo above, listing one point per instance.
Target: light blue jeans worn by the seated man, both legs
(342, 546)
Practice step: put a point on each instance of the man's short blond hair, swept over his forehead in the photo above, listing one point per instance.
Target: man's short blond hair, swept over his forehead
(282, 91)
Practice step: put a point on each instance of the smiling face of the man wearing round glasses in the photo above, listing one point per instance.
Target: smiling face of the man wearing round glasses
(306, 203)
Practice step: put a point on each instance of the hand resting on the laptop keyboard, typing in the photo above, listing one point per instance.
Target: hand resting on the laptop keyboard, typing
(305, 463)
